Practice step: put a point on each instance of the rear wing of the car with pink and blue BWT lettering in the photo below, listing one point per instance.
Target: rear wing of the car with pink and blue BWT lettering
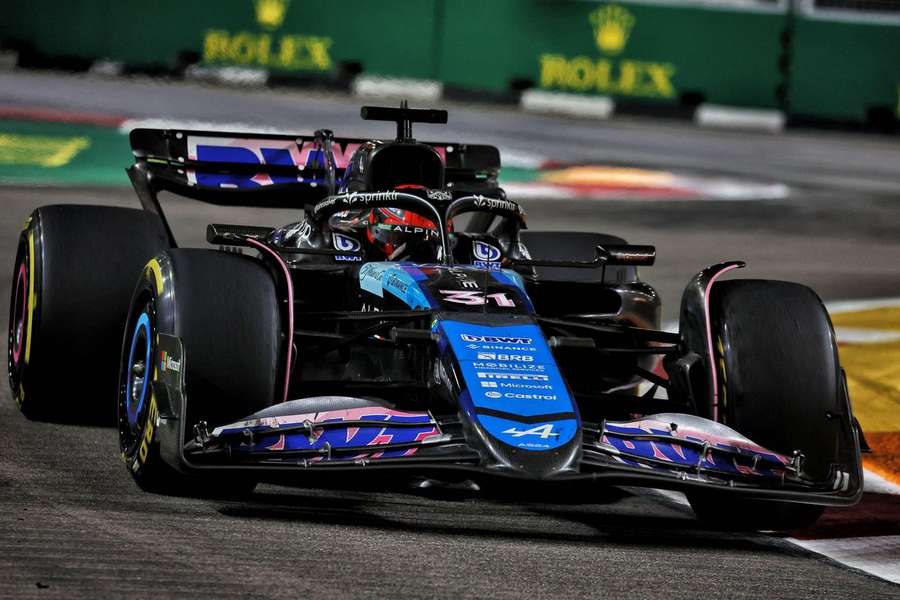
(267, 170)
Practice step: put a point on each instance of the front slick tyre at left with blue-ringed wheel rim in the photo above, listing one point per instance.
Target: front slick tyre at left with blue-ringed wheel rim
(224, 309)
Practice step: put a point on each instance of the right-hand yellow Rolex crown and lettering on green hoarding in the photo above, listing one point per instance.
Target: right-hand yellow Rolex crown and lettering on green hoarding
(612, 25)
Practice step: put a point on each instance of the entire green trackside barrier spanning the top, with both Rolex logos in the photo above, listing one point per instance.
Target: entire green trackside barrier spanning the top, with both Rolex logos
(757, 54)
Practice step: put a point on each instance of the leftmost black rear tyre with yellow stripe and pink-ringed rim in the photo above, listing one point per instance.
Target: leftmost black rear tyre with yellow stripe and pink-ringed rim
(72, 280)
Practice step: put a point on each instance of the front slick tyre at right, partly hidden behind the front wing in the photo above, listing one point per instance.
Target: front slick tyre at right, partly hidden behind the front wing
(780, 384)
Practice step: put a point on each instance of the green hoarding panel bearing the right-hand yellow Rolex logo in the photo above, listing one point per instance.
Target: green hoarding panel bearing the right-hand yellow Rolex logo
(632, 50)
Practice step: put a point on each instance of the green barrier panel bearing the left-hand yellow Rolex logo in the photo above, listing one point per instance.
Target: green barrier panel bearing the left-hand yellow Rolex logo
(314, 37)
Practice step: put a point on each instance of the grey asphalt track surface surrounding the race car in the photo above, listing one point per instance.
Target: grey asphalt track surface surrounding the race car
(73, 525)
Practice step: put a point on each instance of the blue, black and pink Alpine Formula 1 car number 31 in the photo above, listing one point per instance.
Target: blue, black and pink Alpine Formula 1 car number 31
(411, 323)
